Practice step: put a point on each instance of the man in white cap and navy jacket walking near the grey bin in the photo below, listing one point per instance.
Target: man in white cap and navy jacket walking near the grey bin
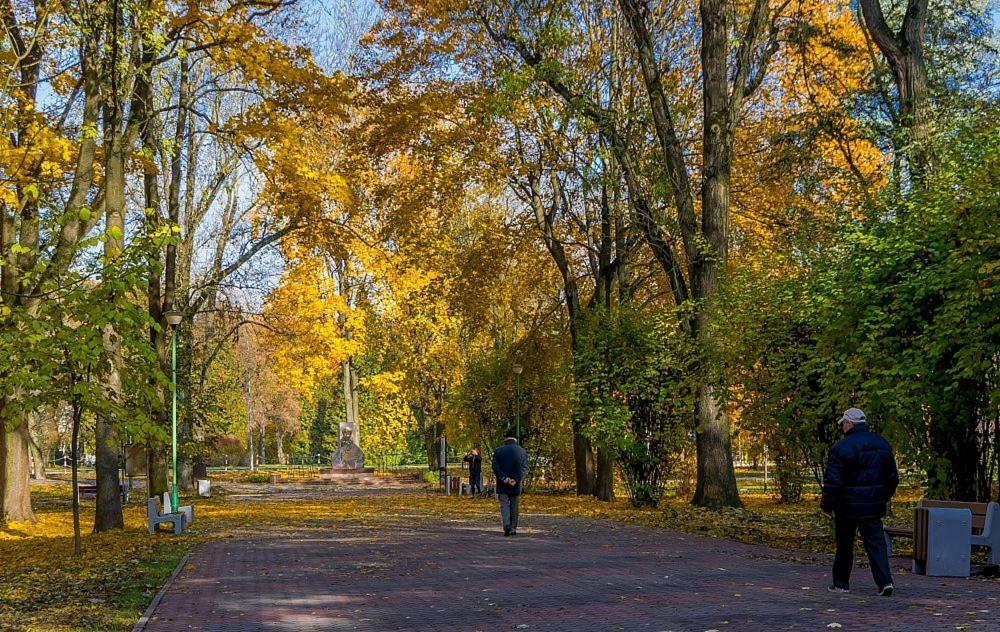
(860, 479)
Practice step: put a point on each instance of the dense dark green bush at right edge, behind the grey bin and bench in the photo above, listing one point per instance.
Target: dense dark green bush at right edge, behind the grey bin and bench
(924, 326)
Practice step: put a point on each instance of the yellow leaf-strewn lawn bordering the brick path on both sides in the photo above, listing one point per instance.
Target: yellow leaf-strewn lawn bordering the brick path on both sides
(44, 588)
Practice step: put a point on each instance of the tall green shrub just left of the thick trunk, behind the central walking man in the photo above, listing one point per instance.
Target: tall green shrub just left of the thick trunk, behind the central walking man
(635, 383)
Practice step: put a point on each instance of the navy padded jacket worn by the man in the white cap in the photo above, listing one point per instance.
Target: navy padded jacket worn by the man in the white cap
(861, 476)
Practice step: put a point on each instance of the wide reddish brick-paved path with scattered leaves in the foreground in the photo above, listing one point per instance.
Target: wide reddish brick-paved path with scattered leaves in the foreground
(415, 572)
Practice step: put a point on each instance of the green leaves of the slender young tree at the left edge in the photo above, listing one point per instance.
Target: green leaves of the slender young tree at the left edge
(59, 346)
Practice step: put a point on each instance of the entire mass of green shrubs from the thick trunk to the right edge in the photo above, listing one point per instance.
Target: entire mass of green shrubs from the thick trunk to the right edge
(899, 317)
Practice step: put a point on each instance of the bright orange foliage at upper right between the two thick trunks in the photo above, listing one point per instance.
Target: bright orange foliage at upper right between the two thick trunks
(802, 156)
